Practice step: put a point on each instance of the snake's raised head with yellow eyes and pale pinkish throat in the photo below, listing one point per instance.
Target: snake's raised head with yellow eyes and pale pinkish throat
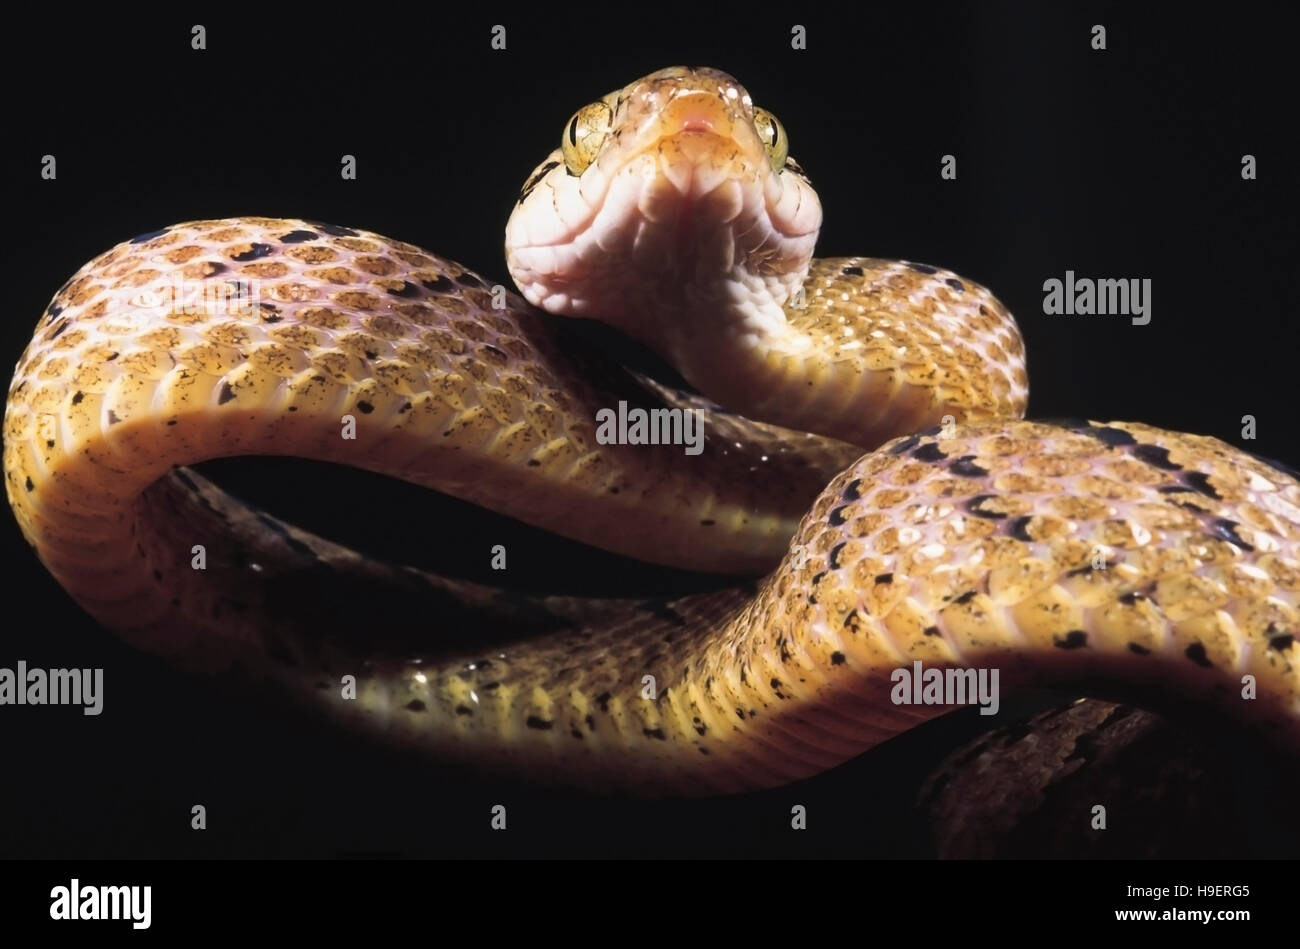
(666, 197)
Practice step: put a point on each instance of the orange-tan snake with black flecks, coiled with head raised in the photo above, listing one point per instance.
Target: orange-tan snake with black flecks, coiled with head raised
(866, 476)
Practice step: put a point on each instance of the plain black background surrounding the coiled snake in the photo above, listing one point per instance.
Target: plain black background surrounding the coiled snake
(1123, 163)
